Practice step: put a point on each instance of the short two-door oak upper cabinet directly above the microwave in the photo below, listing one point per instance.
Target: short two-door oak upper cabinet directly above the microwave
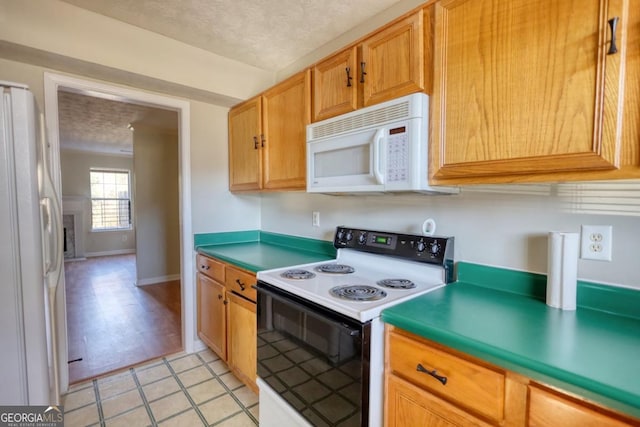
(386, 65)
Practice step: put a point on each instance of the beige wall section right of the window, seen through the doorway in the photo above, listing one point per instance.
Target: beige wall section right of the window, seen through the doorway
(156, 202)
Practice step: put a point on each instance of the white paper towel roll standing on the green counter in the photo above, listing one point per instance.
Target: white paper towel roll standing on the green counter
(562, 270)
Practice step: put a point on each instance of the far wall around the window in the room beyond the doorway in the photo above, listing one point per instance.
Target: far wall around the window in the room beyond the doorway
(76, 190)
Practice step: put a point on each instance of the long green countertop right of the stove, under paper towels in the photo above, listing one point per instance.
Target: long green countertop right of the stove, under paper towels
(591, 351)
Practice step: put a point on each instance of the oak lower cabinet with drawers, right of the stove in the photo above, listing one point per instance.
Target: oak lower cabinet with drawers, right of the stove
(427, 384)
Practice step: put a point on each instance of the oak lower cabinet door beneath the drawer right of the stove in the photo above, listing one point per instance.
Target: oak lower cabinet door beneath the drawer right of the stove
(408, 406)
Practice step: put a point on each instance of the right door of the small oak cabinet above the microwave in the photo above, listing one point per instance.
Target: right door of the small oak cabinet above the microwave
(393, 61)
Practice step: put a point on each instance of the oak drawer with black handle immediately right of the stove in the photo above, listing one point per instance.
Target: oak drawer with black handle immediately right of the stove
(468, 385)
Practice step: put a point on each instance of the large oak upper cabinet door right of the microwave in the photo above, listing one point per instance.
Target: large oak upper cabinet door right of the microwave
(524, 87)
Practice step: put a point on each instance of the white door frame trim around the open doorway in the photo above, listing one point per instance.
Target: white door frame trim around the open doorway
(52, 82)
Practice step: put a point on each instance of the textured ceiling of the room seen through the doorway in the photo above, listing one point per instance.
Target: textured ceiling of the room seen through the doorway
(100, 125)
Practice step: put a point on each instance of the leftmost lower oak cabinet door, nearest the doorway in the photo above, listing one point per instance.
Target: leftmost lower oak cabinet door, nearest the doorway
(211, 315)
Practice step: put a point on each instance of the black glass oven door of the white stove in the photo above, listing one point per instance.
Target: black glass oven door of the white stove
(315, 359)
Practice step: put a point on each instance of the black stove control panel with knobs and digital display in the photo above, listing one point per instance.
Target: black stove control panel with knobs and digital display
(430, 249)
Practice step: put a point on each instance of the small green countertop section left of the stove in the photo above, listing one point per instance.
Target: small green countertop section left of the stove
(259, 250)
